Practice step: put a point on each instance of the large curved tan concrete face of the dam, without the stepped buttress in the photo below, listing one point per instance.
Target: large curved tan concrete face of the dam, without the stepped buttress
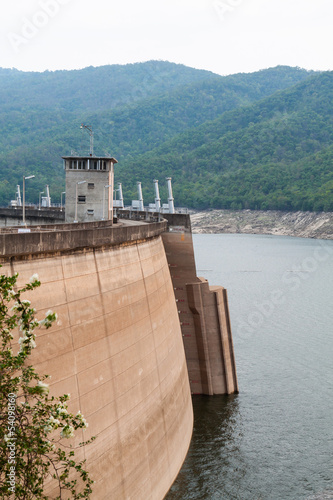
(117, 349)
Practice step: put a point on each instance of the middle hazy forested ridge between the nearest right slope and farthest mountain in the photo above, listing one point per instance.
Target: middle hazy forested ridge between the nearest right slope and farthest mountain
(151, 122)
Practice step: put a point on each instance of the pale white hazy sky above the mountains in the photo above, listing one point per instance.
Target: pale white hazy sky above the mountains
(223, 36)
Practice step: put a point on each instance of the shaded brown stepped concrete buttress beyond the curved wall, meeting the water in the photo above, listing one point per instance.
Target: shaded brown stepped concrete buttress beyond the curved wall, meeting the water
(203, 314)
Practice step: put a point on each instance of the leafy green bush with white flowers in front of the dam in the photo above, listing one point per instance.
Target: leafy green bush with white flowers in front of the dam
(33, 425)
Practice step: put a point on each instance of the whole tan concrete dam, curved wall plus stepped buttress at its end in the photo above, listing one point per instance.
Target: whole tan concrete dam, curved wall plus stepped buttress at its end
(137, 333)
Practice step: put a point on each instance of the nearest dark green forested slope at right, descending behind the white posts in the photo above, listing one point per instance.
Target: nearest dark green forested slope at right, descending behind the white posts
(275, 154)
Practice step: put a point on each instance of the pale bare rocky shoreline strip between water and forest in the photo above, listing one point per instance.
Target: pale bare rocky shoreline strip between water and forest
(302, 224)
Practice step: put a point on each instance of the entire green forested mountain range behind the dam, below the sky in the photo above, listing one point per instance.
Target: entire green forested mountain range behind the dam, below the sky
(260, 140)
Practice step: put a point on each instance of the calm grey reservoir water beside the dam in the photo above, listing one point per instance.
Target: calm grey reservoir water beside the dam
(274, 440)
